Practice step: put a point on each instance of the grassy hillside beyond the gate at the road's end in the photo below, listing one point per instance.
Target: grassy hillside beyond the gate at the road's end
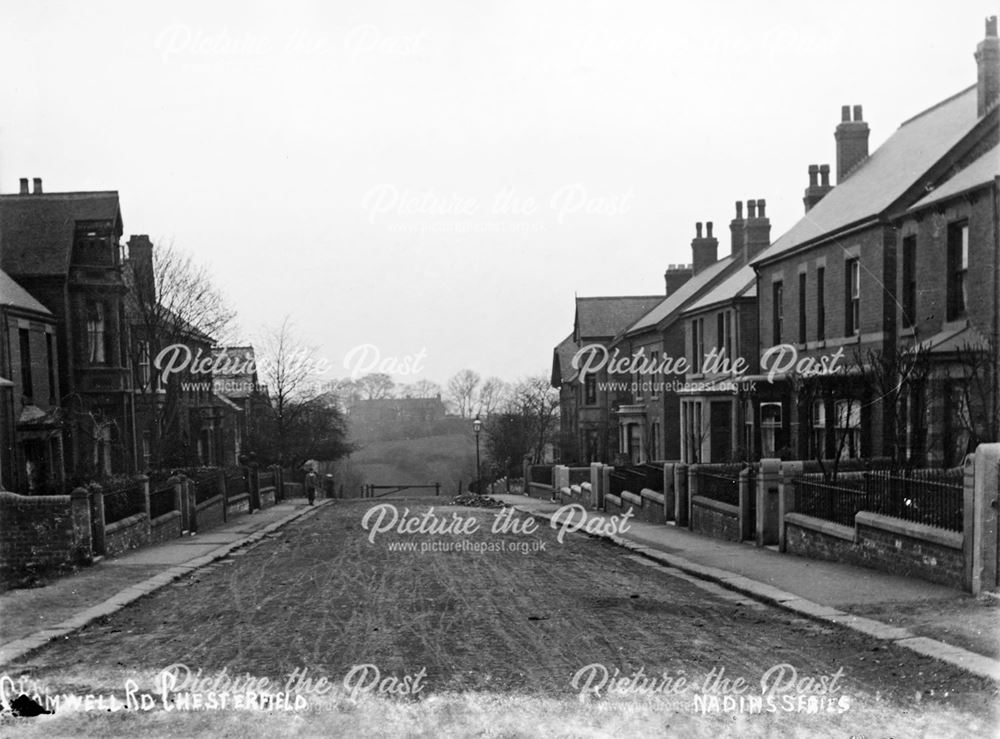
(448, 458)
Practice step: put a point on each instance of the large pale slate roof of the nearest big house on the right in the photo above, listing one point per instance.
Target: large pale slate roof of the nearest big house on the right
(886, 174)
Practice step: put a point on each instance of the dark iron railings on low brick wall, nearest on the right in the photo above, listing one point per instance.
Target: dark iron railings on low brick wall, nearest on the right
(931, 497)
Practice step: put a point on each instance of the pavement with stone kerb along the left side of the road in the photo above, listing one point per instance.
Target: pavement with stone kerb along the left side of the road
(31, 617)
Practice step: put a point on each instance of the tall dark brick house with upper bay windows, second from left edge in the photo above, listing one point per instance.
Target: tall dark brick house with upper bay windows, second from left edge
(63, 248)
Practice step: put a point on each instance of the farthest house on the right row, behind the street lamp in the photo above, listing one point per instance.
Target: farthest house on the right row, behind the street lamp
(597, 321)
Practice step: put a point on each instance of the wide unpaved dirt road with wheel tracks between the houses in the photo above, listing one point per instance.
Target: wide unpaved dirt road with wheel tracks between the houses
(454, 628)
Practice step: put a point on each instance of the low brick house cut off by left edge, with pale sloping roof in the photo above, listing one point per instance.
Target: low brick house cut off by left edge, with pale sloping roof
(31, 447)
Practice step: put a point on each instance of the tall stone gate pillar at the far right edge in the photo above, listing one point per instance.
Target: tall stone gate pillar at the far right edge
(982, 569)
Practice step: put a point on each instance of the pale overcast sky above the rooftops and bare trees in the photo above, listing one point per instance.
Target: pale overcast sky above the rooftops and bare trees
(429, 185)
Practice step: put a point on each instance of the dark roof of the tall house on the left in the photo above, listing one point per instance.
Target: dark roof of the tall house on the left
(37, 231)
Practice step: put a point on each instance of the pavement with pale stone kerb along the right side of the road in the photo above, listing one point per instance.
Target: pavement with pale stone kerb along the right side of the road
(932, 620)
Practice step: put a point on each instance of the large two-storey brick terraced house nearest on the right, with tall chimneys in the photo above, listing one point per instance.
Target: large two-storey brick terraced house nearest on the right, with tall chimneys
(895, 268)
